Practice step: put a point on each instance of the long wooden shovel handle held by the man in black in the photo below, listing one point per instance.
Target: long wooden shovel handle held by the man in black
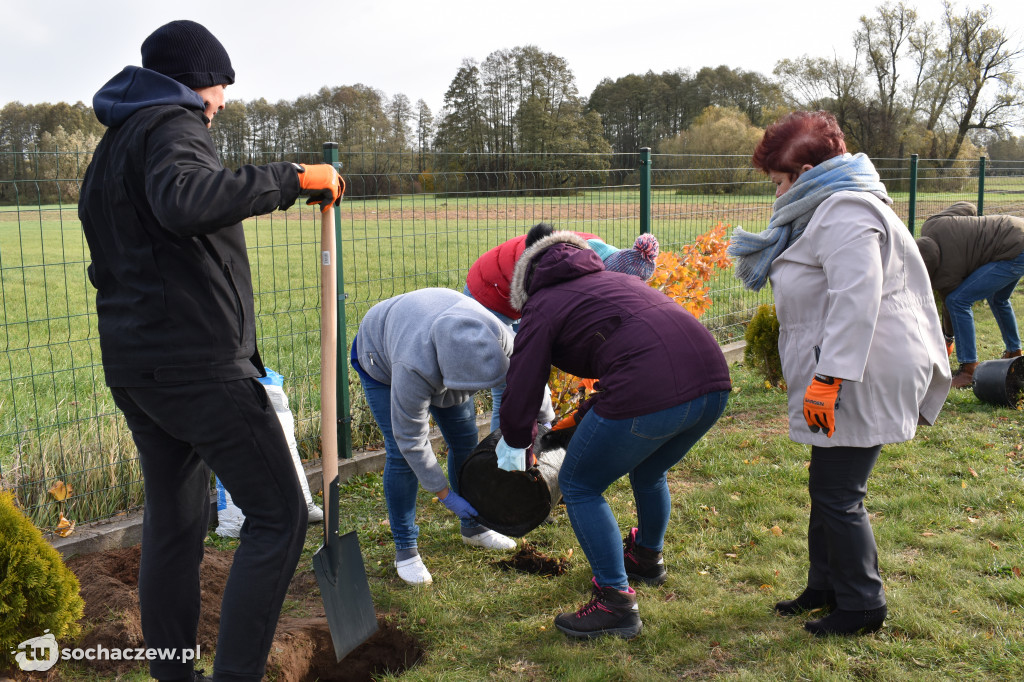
(329, 359)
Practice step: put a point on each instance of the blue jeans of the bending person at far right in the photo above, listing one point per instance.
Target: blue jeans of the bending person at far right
(994, 283)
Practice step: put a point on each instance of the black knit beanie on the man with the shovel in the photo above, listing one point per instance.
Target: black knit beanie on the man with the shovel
(188, 53)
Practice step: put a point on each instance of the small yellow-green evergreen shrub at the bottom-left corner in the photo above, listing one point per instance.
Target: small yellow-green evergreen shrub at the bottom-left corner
(37, 591)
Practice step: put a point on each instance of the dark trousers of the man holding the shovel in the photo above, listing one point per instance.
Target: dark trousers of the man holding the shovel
(182, 434)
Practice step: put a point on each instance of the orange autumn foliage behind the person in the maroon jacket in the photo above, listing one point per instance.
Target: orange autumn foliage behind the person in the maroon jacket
(684, 278)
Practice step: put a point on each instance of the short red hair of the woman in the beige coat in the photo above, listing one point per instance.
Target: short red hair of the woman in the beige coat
(799, 139)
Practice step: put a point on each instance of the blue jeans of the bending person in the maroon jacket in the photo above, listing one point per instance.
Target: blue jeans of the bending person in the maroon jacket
(645, 448)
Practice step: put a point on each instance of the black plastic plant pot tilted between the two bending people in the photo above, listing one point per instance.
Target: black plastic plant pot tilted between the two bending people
(515, 503)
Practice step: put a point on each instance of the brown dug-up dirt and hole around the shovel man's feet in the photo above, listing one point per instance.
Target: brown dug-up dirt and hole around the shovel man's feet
(303, 649)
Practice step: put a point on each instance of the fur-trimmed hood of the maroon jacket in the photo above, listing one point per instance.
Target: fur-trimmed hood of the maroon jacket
(562, 255)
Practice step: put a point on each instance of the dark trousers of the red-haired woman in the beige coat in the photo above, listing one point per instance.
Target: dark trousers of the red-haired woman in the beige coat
(840, 540)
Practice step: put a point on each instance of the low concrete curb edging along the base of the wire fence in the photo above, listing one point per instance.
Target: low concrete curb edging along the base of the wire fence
(127, 531)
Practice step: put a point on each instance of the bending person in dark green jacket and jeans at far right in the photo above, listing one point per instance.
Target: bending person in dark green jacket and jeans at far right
(972, 259)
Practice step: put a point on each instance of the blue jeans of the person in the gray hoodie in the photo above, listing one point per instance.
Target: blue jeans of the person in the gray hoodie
(458, 427)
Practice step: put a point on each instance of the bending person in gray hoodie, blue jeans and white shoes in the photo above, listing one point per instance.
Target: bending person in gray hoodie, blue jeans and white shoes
(422, 355)
